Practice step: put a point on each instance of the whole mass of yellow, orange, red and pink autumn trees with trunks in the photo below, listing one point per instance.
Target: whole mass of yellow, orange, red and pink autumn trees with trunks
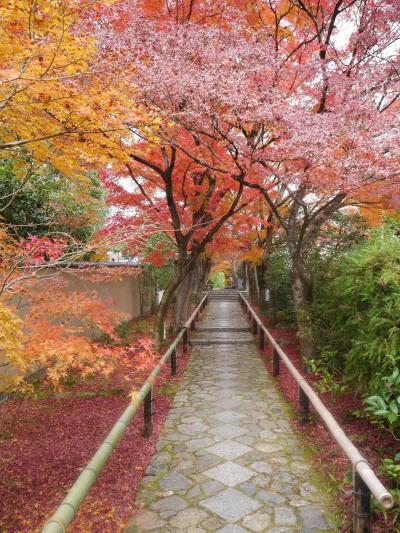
(222, 126)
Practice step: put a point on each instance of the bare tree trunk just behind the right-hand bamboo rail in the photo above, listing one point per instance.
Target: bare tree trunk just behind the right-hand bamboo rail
(302, 300)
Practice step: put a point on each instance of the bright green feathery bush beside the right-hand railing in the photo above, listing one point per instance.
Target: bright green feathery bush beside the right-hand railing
(357, 312)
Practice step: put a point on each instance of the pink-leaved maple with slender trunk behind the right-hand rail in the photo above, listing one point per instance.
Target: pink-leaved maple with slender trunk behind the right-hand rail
(318, 156)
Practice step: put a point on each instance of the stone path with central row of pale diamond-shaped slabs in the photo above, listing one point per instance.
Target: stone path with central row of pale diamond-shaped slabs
(228, 460)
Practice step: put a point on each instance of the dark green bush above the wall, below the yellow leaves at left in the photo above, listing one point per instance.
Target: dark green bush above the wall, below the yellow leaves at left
(50, 203)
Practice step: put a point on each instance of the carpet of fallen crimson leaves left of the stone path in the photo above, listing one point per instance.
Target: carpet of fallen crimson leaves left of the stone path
(53, 438)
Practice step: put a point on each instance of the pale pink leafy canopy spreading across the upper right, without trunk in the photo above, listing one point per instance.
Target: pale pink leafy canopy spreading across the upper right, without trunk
(216, 81)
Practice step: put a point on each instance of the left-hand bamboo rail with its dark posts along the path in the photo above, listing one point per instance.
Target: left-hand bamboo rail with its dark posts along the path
(67, 510)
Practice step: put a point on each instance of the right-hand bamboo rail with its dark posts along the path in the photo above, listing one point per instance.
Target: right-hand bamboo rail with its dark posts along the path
(365, 482)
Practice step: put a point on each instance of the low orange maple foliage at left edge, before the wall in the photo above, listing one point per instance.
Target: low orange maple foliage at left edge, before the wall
(54, 333)
